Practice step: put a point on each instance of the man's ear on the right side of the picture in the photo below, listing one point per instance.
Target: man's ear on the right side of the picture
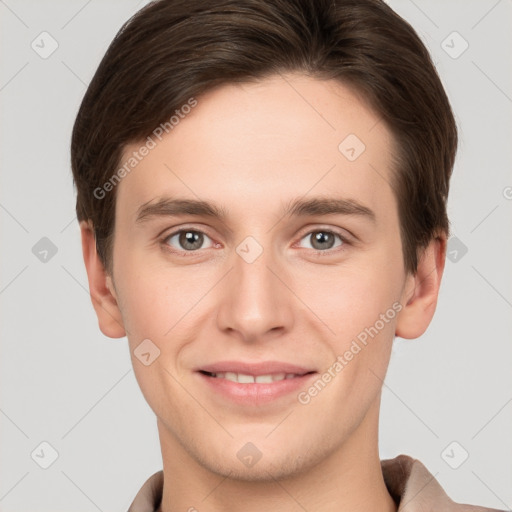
(421, 290)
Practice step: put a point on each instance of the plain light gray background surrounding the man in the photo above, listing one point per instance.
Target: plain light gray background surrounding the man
(64, 383)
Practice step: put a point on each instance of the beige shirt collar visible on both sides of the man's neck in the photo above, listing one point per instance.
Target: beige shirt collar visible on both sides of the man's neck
(408, 481)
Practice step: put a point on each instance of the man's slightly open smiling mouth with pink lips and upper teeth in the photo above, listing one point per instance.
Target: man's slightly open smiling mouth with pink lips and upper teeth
(254, 384)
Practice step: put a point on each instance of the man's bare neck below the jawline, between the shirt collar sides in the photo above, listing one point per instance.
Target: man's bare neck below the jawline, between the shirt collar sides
(347, 479)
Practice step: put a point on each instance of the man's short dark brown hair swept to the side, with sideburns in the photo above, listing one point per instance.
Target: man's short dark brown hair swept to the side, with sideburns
(173, 50)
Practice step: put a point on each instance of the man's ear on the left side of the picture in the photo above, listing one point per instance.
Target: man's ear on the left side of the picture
(101, 287)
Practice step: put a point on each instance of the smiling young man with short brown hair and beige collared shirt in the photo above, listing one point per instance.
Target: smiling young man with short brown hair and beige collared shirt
(218, 147)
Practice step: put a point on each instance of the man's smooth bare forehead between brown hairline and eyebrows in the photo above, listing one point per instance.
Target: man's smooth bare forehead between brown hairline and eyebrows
(275, 140)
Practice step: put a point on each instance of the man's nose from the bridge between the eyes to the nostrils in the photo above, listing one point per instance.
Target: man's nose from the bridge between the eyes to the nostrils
(256, 302)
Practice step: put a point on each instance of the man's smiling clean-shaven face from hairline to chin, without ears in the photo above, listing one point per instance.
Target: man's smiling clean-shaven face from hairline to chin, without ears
(273, 321)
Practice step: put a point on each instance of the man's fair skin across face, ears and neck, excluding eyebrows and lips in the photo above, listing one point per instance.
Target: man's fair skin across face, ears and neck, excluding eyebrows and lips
(252, 148)
